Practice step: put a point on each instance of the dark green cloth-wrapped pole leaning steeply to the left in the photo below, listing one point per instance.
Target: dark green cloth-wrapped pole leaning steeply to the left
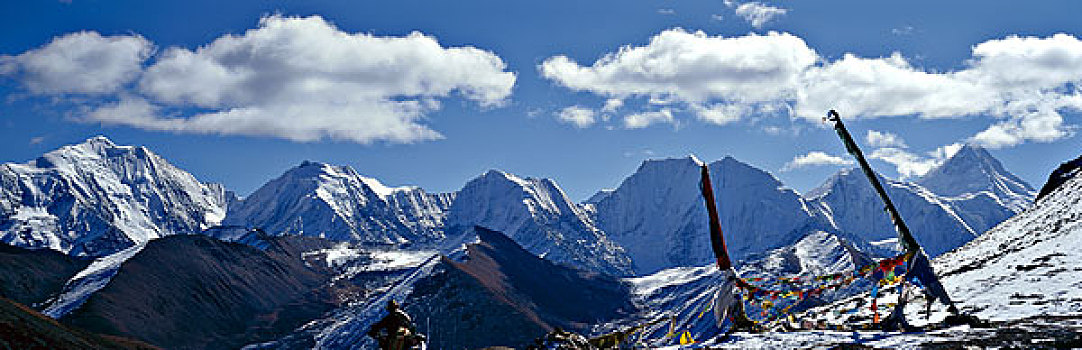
(920, 267)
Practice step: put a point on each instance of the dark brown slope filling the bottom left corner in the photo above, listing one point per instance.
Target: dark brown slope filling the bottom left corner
(22, 328)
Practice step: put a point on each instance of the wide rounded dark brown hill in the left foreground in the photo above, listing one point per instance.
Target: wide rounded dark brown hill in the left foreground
(197, 292)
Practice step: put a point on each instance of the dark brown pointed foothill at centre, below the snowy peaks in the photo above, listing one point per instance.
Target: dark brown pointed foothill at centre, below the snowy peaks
(503, 295)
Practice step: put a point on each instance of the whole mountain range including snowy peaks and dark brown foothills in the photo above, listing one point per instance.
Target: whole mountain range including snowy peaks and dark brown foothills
(335, 244)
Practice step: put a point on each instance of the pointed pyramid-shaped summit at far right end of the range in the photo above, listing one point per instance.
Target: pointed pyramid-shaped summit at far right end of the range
(973, 171)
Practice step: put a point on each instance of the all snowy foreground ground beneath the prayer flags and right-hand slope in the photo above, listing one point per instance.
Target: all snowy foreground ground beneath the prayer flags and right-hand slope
(1024, 277)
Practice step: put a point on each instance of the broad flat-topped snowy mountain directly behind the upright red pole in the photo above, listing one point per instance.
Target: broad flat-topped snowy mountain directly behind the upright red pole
(657, 214)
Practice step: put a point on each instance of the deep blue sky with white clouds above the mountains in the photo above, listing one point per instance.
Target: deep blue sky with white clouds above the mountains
(485, 85)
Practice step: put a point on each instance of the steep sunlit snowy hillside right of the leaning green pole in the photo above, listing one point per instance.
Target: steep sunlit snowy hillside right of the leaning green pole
(1027, 266)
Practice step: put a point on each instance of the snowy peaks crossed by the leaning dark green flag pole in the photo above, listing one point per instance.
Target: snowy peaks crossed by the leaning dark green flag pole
(954, 203)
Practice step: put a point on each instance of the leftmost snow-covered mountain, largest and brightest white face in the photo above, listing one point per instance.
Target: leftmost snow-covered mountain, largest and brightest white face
(96, 199)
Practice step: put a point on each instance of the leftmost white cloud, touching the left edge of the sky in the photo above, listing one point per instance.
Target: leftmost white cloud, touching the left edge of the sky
(84, 62)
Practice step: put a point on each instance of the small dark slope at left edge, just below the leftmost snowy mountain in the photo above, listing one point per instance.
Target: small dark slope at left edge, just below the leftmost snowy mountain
(31, 277)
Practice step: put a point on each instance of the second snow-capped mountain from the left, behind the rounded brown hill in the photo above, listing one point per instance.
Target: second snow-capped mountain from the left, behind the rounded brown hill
(340, 204)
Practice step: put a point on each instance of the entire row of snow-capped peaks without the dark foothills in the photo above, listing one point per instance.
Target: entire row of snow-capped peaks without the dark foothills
(97, 199)
